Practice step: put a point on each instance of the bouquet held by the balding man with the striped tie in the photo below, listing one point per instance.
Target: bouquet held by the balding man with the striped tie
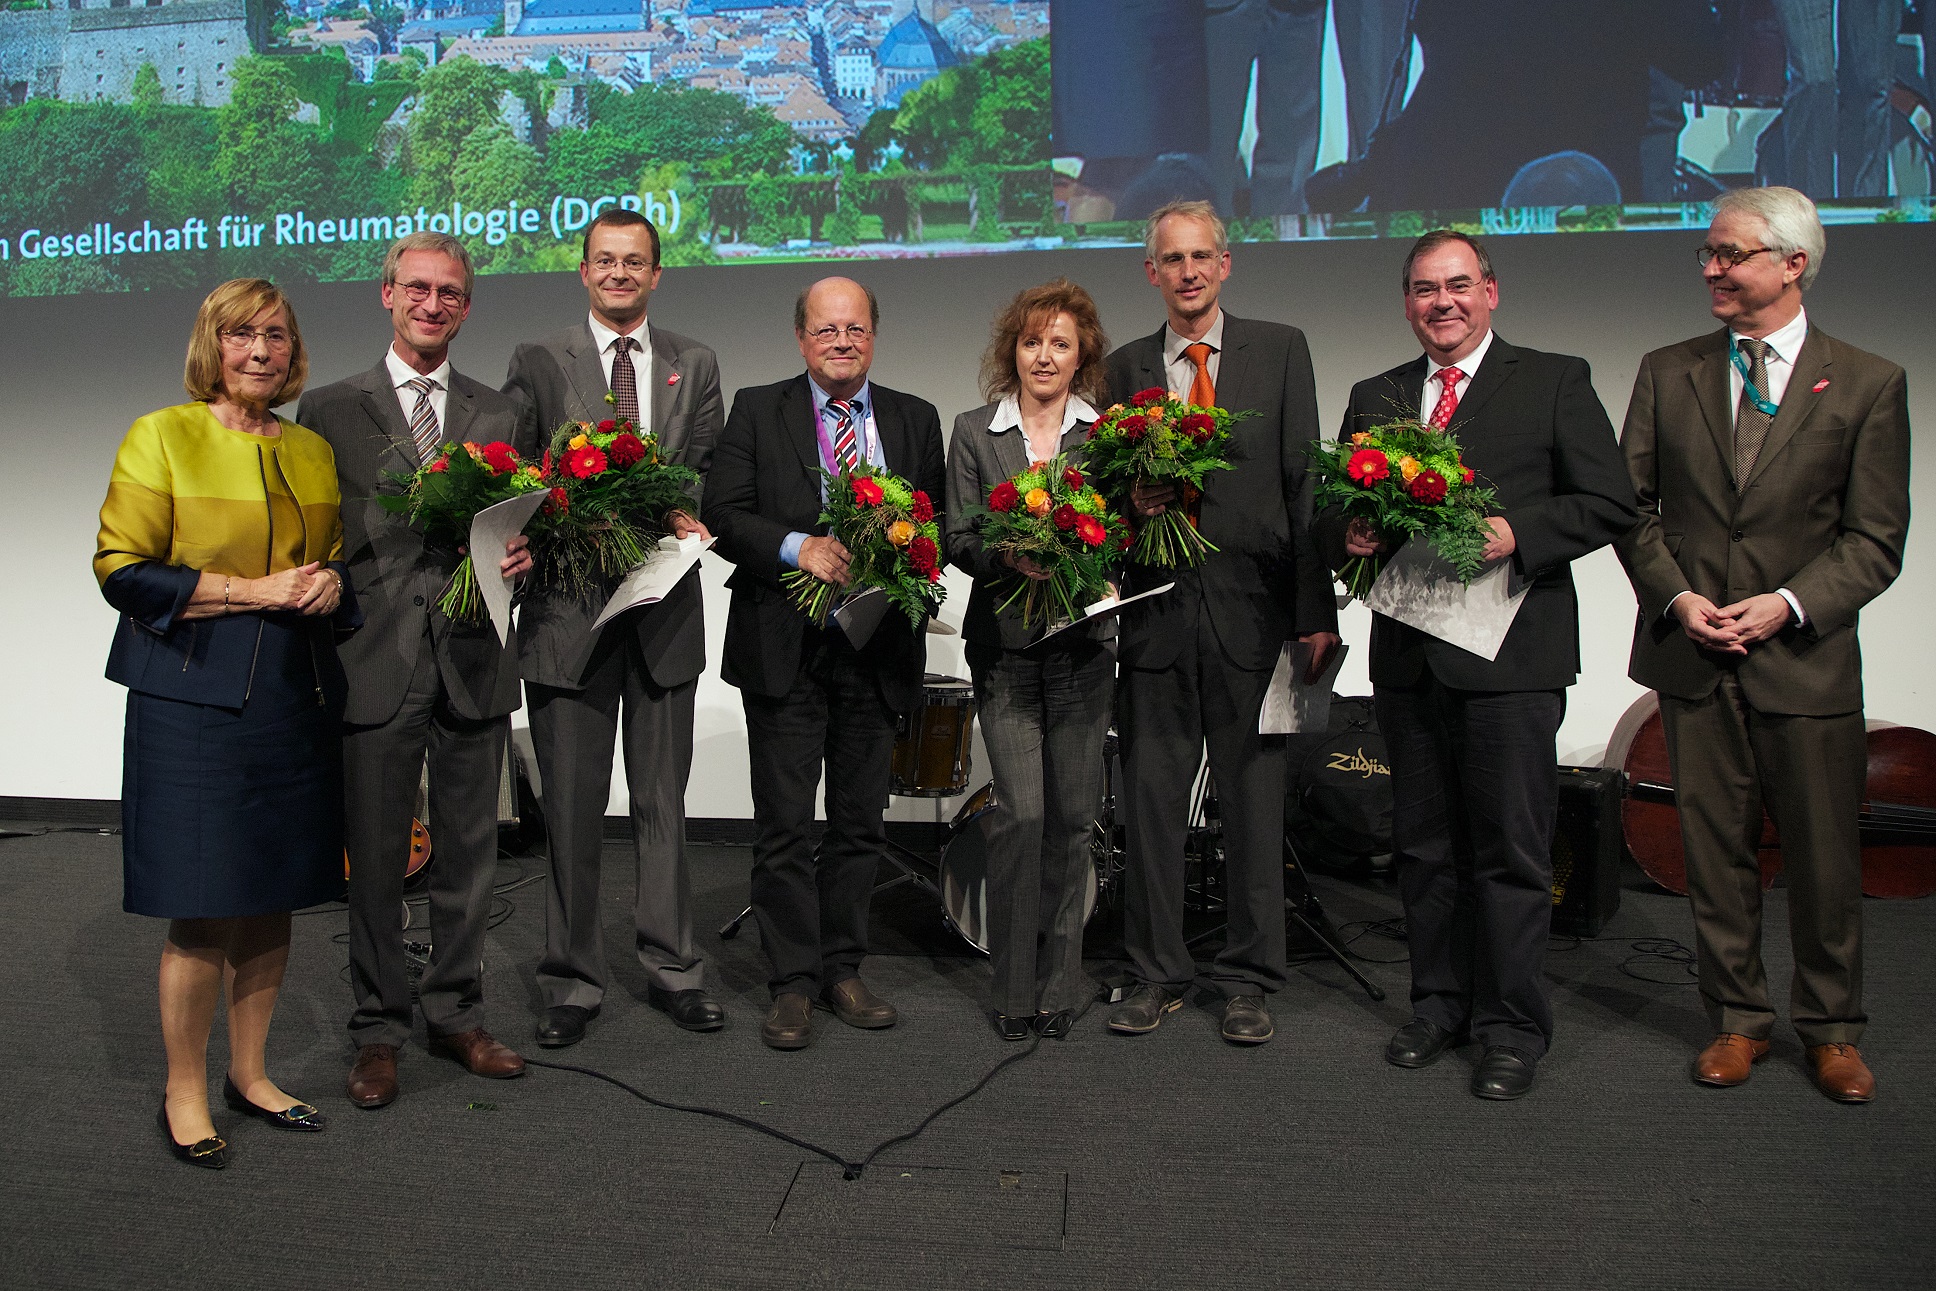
(892, 537)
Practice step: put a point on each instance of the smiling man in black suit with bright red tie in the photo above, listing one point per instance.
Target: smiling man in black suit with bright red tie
(1474, 767)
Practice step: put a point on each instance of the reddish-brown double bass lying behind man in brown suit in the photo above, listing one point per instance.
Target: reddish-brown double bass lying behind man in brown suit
(1898, 814)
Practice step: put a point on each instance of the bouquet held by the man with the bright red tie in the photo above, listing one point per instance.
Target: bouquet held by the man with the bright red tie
(1407, 479)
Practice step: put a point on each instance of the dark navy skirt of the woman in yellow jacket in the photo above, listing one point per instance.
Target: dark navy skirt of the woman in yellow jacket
(235, 812)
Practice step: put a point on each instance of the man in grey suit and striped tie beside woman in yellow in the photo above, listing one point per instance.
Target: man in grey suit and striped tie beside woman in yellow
(419, 682)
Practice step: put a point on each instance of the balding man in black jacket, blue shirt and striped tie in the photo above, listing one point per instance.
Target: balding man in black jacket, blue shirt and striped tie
(814, 700)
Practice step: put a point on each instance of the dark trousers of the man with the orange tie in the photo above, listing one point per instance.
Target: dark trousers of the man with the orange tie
(1166, 717)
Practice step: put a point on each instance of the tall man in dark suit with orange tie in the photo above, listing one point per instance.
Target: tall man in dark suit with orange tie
(1197, 661)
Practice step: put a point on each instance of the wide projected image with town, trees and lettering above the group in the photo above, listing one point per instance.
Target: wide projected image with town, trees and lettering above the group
(152, 144)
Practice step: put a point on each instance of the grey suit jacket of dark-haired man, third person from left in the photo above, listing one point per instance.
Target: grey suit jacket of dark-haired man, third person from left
(562, 380)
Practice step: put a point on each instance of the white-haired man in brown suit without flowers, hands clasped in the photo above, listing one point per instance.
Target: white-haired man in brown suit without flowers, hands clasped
(1772, 465)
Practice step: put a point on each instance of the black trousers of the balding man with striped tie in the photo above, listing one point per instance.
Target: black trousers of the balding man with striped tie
(812, 903)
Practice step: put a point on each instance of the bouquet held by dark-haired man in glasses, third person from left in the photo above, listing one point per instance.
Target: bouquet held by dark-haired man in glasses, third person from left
(613, 491)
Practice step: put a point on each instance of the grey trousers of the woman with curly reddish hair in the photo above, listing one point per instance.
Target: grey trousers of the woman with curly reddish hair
(1044, 717)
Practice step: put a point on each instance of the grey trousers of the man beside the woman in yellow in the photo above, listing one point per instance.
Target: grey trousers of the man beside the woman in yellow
(382, 767)
